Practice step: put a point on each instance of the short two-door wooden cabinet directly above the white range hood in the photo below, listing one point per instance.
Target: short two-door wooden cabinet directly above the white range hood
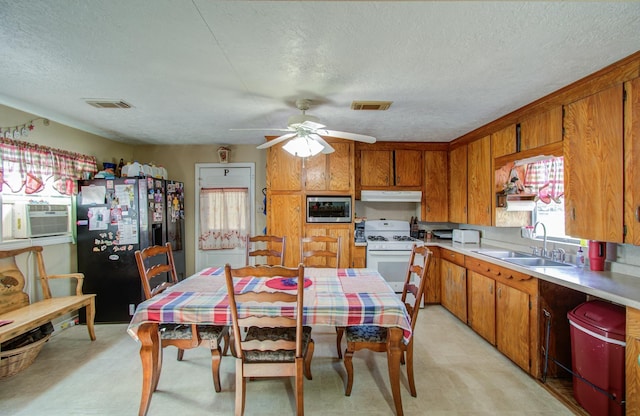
(384, 168)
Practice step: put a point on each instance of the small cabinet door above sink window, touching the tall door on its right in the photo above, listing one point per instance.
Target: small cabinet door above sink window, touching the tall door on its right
(541, 129)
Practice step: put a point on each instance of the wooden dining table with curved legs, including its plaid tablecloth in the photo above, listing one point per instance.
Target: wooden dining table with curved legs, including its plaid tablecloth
(332, 297)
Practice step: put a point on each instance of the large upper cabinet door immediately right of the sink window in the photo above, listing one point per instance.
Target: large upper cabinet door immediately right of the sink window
(594, 167)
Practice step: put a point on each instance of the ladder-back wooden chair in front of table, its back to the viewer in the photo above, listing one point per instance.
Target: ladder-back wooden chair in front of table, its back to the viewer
(273, 346)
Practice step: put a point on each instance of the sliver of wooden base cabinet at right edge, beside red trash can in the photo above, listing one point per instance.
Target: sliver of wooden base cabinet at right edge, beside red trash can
(632, 366)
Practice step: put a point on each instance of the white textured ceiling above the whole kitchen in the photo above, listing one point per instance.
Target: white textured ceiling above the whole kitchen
(193, 69)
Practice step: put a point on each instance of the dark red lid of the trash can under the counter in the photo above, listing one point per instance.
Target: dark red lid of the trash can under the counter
(601, 317)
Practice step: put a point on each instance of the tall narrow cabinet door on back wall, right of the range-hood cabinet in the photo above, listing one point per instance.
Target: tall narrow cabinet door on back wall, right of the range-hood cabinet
(435, 192)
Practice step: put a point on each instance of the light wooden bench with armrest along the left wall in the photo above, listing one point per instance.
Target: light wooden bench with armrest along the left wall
(25, 316)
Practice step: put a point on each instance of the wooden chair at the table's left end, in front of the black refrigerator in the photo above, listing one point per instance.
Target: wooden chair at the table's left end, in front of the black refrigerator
(155, 262)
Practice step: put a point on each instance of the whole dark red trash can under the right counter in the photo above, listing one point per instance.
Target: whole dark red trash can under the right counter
(597, 355)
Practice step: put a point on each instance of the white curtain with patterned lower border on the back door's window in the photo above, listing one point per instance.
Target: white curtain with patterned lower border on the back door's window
(224, 218)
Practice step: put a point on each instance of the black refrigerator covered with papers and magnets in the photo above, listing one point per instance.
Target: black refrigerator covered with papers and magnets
(116, 217)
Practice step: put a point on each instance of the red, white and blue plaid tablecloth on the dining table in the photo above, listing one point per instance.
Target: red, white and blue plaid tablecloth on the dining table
(336, 297)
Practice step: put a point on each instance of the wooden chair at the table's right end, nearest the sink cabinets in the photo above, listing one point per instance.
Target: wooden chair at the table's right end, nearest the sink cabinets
(374, 338)
